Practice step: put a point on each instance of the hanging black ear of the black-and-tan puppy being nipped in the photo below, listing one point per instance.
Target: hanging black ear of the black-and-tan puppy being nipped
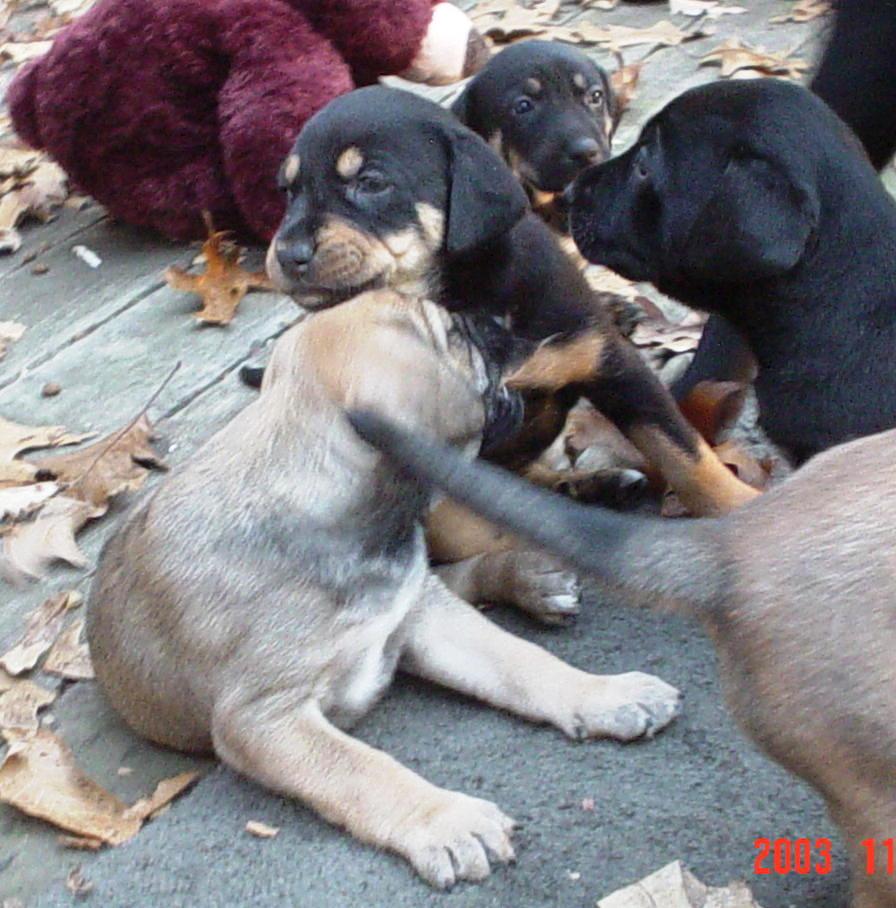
(485, 199)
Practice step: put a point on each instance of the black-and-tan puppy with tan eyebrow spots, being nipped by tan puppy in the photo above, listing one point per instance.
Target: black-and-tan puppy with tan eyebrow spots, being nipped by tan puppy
(388, 189)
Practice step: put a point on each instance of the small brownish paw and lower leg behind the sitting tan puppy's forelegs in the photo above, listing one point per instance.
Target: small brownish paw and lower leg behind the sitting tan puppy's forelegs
(532, 581)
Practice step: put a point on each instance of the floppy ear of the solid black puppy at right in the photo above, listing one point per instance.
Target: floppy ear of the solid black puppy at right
(755, 225)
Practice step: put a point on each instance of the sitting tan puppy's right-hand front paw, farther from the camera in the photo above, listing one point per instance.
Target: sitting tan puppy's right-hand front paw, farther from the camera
(625, 707)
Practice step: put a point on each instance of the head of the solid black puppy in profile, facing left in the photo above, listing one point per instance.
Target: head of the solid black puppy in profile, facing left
(720, 188)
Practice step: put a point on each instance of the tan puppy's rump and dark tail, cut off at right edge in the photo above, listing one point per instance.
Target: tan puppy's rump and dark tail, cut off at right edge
(797, 591)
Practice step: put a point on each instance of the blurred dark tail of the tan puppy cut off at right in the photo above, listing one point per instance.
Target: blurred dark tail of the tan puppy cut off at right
(671, 565)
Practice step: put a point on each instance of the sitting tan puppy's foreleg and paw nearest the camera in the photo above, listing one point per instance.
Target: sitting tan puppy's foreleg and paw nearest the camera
(447, 836)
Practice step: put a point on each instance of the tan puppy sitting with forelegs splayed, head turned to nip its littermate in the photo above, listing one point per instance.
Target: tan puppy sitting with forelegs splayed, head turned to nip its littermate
(262, 597)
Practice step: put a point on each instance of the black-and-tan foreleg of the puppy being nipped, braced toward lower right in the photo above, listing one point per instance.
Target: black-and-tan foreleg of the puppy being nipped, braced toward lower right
(613, 377)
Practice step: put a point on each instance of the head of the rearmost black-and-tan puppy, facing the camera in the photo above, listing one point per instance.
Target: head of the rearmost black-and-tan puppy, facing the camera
(546, 108)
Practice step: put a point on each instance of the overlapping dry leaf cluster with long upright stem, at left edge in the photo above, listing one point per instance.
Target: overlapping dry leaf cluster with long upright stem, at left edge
(45, 503)
